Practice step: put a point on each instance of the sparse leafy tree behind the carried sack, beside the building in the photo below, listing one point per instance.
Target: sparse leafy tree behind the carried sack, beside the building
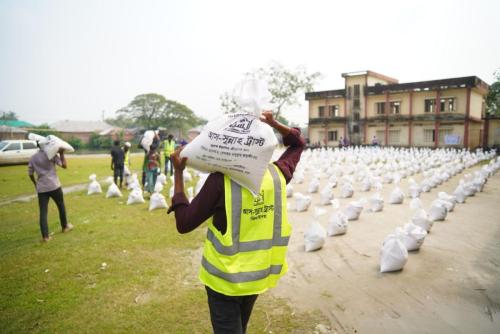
(285, 85)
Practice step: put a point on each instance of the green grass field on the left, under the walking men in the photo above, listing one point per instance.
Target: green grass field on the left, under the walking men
(149, 284)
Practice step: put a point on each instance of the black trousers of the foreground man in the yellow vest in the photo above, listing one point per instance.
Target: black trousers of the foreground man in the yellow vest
(229, 314)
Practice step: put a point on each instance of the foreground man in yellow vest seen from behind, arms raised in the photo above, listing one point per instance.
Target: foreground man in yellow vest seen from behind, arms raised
(235, 276)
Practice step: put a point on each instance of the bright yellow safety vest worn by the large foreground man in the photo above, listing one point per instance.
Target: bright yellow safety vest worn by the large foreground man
(251, 256)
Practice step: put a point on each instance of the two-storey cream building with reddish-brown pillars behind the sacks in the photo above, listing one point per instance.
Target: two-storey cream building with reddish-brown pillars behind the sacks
(436, 113)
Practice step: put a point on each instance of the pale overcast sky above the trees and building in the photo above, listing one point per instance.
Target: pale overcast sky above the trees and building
(72, 59)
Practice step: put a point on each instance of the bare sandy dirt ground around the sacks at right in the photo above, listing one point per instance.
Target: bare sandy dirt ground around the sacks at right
(452, 285)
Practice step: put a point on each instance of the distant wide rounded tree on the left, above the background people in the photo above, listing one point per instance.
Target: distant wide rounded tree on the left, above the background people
(151, 111)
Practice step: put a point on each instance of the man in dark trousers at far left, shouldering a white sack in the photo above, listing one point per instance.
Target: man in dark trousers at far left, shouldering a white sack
(48, 186)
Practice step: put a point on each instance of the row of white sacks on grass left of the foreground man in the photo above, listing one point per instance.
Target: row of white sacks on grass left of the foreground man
(157, 200)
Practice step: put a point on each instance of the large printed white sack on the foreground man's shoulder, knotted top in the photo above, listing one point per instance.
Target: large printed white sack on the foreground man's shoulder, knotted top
(239, 145)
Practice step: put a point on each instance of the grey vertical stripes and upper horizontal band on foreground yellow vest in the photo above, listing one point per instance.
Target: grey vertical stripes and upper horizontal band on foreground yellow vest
(246, 246)
